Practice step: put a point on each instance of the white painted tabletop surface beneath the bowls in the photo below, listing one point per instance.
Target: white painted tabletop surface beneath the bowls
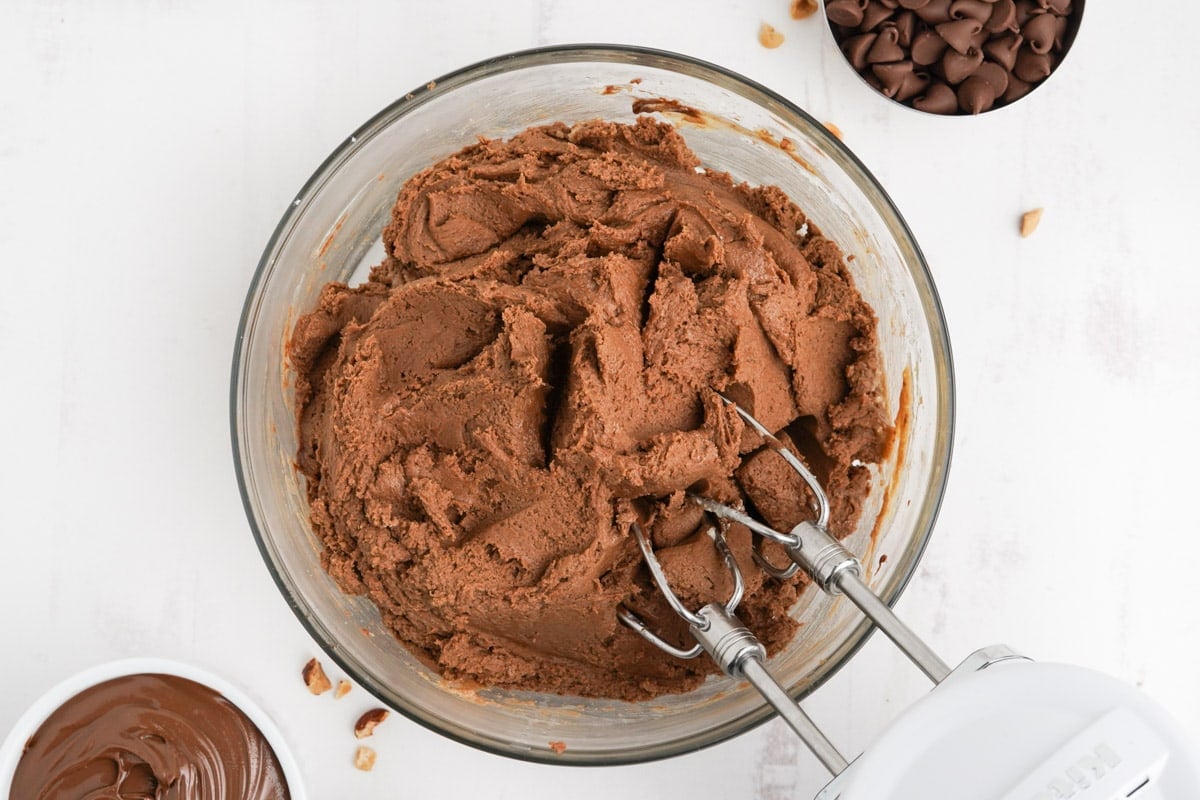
(148, 149)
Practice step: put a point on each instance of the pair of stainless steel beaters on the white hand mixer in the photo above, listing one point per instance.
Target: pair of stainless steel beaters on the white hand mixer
(811, 548)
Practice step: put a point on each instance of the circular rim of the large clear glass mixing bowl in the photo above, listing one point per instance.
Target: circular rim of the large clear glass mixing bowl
(658, 59)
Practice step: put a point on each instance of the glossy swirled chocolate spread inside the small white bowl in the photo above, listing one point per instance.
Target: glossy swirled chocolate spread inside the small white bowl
(148, 737)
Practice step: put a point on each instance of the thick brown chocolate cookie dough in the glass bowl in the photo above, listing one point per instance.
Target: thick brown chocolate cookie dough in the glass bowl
(533, 368)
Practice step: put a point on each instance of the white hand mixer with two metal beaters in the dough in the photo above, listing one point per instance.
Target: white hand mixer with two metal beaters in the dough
(998, 727)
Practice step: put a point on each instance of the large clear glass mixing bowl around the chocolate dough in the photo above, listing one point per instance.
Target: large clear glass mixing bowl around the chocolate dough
(332, 232)
